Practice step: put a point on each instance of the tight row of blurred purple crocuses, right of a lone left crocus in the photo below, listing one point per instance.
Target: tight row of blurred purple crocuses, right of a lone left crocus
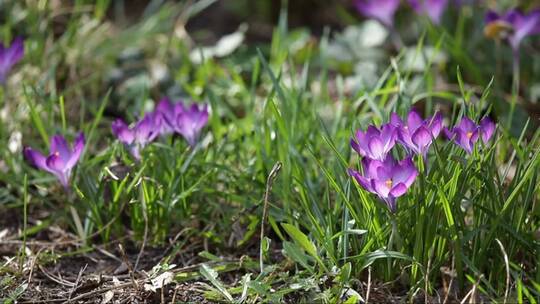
(167, 118)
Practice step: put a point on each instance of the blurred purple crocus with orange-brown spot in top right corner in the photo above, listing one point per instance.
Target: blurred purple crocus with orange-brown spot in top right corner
(513, 25)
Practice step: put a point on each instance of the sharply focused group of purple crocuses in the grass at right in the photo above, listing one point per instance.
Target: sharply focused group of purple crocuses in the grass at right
(389, 179)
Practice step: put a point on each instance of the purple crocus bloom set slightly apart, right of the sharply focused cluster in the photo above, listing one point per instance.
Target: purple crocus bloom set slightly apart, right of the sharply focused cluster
(467, 133)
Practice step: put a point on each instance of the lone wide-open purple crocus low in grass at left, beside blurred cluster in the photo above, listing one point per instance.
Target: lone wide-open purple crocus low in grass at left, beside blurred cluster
(61, 159)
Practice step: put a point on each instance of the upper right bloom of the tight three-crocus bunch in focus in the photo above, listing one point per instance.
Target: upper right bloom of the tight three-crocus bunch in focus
(417, 134)
